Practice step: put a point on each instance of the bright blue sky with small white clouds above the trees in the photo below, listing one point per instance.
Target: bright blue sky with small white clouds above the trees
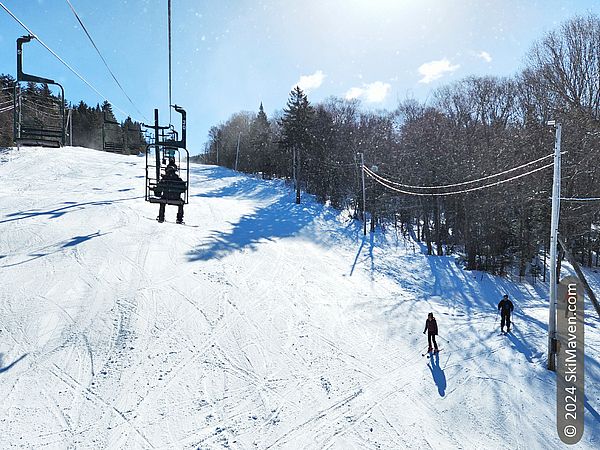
(230, 55)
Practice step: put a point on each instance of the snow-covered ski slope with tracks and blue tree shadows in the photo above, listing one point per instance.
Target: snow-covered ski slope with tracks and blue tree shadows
(260, 324)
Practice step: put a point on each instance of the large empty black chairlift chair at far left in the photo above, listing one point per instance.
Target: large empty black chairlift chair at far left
(28, 129)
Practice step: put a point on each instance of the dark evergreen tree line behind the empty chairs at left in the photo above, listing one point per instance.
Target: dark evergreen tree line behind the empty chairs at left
(92, 127)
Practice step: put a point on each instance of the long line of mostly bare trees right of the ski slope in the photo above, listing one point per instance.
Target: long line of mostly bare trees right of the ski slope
(472, 128)
